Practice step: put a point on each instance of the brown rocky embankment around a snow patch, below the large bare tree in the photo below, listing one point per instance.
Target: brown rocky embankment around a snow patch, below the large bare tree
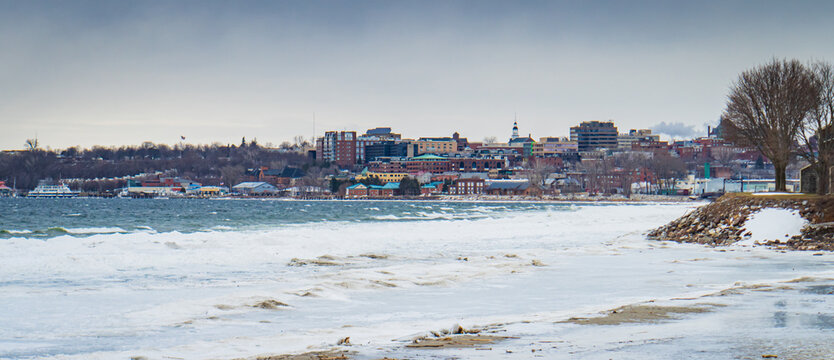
(722, 222)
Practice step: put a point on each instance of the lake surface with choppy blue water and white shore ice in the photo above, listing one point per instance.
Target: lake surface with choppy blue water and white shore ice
(111, 278)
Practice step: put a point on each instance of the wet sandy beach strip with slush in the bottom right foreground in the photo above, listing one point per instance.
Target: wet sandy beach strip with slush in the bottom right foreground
(635, 327)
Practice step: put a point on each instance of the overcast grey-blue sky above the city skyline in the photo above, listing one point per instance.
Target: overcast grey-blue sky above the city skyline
(124, 72)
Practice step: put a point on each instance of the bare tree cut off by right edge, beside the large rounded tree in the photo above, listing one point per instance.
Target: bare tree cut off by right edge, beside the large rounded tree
(816, 134)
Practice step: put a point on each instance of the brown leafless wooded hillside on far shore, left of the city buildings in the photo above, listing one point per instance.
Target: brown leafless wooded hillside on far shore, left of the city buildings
(209, 164)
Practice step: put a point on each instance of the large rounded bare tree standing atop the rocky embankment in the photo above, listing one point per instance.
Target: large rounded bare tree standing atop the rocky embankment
(766, 106)
